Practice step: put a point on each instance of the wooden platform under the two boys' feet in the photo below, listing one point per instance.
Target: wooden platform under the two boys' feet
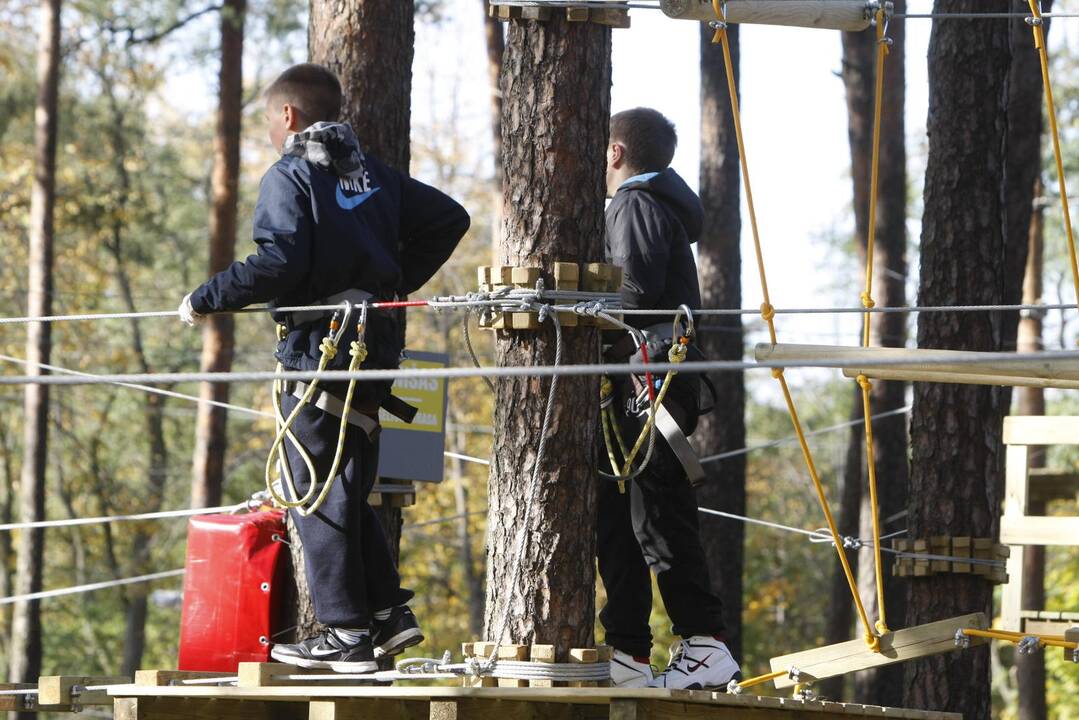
(339, 703)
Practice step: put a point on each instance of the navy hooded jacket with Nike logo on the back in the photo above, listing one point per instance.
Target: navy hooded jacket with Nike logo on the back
(330, 219)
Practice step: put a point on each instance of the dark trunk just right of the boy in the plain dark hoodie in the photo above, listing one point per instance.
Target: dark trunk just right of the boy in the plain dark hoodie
(719, 265)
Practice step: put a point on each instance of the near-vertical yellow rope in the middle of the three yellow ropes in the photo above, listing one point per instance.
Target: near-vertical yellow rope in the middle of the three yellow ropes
(868, 303)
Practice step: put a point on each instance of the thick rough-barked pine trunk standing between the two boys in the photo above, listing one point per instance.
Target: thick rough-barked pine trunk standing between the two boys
(556, 84)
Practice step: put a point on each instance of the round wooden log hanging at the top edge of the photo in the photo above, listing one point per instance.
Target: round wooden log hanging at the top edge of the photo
(826, 15)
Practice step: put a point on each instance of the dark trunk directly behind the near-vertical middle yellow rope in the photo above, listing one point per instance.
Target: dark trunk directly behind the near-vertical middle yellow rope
(880, 686)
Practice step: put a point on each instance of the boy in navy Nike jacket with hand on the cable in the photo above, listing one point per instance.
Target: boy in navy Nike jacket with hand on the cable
(335, 224)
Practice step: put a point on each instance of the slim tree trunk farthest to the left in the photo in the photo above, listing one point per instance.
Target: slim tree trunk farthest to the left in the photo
(25, 662)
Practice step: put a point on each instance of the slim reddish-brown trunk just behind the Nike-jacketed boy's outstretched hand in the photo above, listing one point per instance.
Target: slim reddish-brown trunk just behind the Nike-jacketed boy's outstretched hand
(218, 331)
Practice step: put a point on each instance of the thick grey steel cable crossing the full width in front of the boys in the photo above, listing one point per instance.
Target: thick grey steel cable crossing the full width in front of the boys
(538, 371)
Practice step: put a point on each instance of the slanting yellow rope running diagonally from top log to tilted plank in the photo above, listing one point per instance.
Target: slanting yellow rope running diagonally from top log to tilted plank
(769, 315)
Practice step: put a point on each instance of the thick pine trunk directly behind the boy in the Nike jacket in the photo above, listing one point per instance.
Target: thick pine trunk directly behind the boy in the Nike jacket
(370, 45)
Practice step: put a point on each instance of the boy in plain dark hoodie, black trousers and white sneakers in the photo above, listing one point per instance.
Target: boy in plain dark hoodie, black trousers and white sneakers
(651, 223)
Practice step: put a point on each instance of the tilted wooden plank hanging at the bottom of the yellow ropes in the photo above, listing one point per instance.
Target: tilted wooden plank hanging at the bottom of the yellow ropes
(898, 647)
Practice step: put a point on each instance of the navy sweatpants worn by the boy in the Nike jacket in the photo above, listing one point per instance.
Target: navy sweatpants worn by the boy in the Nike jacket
(350, 570)
